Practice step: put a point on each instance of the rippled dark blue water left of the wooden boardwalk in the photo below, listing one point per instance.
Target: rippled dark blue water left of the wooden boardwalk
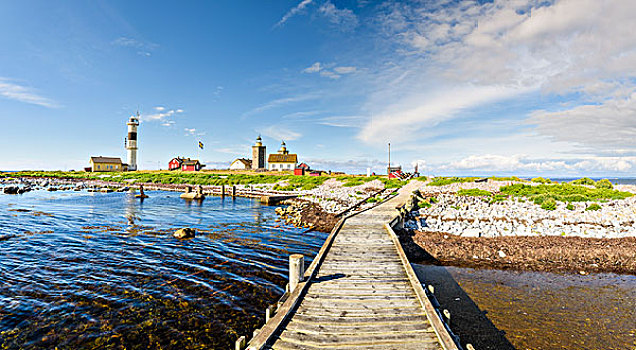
(95, 270)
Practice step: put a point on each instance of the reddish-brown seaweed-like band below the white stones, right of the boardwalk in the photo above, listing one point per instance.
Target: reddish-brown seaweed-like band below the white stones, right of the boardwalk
(541, 253)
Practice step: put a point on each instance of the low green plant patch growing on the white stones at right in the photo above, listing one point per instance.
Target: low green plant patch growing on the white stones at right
(563, 192)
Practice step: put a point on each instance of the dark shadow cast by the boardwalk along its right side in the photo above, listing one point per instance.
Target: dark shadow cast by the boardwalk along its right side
(467, 320)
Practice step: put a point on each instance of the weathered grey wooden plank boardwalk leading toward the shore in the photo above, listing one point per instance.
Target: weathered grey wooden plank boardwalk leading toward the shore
(359, 293)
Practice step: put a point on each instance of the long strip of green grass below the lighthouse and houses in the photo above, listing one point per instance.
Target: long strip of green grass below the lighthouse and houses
(208, 178)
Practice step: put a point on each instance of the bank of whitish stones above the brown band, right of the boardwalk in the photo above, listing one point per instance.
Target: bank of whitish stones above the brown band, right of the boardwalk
(475, 217)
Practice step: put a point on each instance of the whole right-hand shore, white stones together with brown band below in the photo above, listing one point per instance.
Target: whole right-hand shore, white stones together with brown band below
(470, 231)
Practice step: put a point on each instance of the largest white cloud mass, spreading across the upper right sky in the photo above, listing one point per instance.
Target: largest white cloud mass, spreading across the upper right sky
(462, 56)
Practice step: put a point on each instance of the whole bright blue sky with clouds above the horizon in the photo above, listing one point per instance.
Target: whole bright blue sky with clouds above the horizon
(522, 87)
